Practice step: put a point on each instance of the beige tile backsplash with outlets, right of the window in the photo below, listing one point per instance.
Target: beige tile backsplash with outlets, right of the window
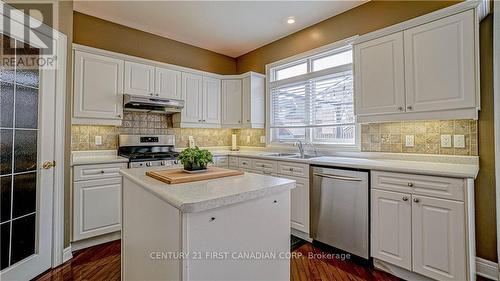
(390, 137)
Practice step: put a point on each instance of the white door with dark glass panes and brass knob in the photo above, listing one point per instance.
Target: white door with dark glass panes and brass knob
(27, 122)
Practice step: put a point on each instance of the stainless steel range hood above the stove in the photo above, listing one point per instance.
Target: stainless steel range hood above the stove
(151, 104)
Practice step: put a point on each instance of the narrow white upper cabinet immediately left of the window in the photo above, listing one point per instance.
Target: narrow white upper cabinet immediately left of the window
(253, 106)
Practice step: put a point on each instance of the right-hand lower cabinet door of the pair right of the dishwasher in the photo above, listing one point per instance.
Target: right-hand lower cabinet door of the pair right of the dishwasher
(439, 246)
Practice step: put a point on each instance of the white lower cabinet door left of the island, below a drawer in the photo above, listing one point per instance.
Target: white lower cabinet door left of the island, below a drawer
(96, 207)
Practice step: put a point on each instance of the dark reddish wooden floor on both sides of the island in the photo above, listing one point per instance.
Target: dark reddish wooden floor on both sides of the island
(103, 263)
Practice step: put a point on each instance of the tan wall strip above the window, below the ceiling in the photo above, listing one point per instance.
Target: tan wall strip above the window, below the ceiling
(360, 20)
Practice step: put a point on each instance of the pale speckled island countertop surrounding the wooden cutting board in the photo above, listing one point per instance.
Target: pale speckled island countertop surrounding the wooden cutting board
(209, 194)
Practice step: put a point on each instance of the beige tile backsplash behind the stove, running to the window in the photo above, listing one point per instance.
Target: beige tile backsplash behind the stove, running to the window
(83, 136)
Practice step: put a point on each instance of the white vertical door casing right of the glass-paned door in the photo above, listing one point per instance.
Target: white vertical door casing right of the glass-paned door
(58, 201)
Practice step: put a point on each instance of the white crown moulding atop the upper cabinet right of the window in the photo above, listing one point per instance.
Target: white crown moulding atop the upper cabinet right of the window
(445, 12)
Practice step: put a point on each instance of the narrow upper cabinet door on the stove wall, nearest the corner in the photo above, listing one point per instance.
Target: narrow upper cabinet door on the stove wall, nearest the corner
(231, 102)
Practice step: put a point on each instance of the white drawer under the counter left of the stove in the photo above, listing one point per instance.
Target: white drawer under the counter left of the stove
(99, 171)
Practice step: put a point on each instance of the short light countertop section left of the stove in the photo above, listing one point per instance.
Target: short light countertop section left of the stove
(96, 157)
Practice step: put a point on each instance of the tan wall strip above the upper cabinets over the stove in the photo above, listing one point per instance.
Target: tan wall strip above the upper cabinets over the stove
(98, 33)
